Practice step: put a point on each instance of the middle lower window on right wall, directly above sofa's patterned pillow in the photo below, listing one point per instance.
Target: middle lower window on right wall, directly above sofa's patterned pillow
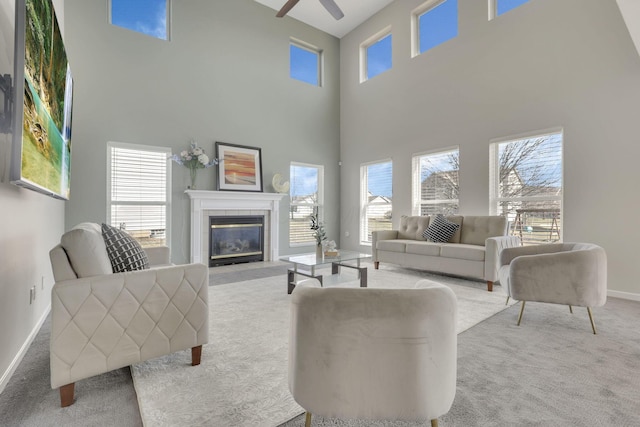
(435, 183)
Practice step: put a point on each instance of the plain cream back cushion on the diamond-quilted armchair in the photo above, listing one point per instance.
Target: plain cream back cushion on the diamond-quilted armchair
(86, 250)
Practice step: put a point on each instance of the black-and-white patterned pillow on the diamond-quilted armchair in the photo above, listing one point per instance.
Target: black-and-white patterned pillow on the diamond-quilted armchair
(124, 252)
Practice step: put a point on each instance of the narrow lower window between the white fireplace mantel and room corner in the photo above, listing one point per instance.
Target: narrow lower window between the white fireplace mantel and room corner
(306, 192)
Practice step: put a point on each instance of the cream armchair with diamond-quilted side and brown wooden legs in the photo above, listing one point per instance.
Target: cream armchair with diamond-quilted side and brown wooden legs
(102, 321)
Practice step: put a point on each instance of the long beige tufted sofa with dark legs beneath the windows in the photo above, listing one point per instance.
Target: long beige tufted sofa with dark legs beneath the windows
(473, 251)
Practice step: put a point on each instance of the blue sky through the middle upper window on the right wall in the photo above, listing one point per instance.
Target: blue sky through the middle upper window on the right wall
(438, 25)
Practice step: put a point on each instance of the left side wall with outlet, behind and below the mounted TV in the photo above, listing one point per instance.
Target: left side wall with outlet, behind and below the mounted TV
(31, 224)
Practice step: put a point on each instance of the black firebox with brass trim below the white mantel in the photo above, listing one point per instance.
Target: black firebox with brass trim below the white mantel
(235, 239)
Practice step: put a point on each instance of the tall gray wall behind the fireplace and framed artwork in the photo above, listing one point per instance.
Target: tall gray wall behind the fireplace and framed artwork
(224, 76)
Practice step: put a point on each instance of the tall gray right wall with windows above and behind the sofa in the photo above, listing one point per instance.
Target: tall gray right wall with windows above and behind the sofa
(546, 64)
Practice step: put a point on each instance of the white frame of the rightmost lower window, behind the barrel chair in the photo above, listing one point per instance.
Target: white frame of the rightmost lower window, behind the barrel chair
(494, 185)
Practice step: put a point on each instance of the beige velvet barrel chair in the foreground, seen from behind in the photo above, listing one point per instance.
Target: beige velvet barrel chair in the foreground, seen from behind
(373, 354)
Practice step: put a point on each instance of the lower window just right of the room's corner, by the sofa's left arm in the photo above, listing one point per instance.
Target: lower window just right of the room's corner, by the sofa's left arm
(375, 198)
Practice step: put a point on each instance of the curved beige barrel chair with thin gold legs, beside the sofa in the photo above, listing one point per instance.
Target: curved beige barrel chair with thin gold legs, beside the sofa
(574, 274)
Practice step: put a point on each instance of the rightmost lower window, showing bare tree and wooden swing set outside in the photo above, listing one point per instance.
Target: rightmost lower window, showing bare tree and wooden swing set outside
(526, 186)
